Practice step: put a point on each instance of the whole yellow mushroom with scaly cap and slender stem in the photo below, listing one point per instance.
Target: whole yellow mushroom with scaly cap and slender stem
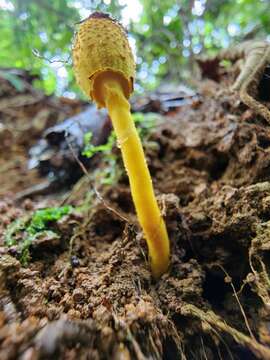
(105, 69)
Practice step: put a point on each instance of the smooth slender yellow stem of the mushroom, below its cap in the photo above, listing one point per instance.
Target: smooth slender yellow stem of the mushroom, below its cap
(139, 178)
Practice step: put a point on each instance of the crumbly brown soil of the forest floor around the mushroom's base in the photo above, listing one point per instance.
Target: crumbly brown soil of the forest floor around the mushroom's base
(83, 289)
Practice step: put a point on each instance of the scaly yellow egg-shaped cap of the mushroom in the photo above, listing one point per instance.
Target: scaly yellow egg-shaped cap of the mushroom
(101, 50)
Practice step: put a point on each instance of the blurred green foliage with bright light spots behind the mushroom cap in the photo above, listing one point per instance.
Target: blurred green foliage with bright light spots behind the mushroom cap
(167, 34)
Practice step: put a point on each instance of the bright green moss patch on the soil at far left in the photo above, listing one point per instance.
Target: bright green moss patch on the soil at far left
(24, 231)
